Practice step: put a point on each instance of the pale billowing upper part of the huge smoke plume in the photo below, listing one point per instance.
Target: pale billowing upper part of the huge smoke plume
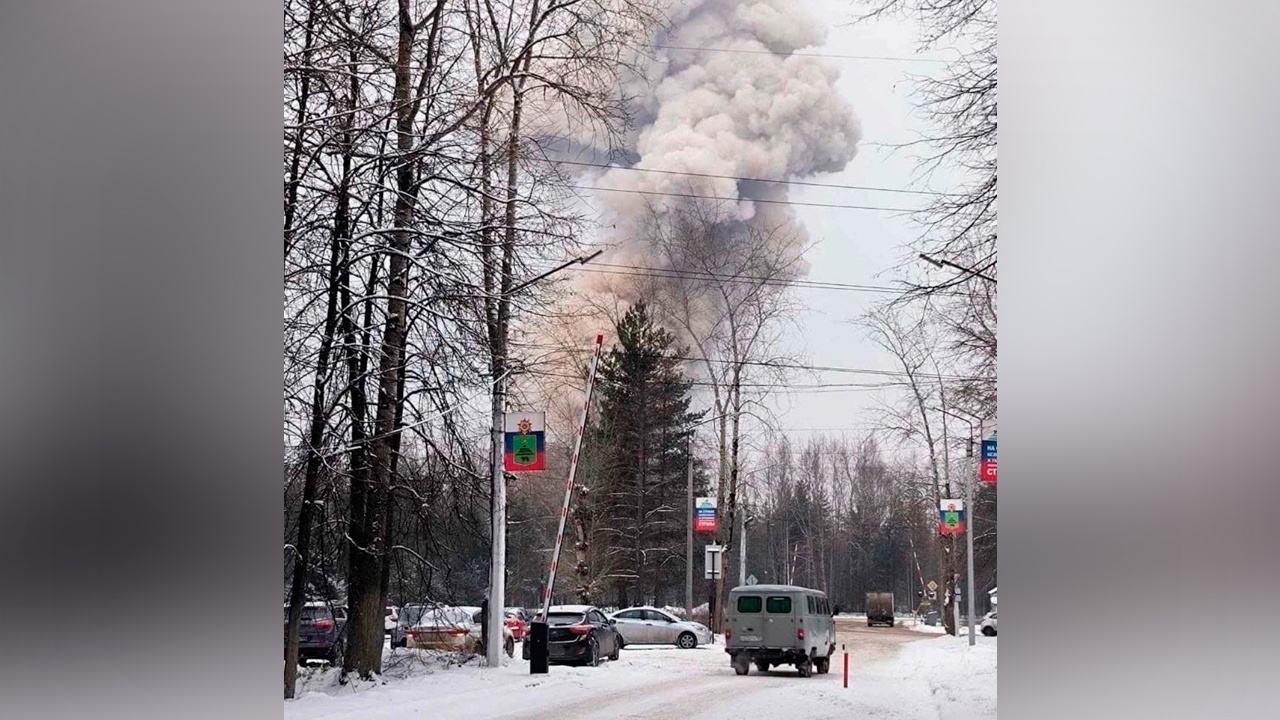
(728, 97)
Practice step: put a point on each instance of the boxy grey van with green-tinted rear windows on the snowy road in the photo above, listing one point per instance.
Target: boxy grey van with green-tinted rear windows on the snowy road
(771, 626)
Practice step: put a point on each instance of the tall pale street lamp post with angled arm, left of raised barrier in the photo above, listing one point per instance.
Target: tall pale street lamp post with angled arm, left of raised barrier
(499, 499)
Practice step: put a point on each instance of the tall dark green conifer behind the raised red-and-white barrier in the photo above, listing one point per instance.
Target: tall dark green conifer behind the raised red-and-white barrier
(642, 432)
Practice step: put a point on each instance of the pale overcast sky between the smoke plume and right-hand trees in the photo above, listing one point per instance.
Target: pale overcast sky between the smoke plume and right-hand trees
(857, 247)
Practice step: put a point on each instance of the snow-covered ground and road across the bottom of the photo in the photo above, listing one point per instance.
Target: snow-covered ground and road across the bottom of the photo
(930, 680)
